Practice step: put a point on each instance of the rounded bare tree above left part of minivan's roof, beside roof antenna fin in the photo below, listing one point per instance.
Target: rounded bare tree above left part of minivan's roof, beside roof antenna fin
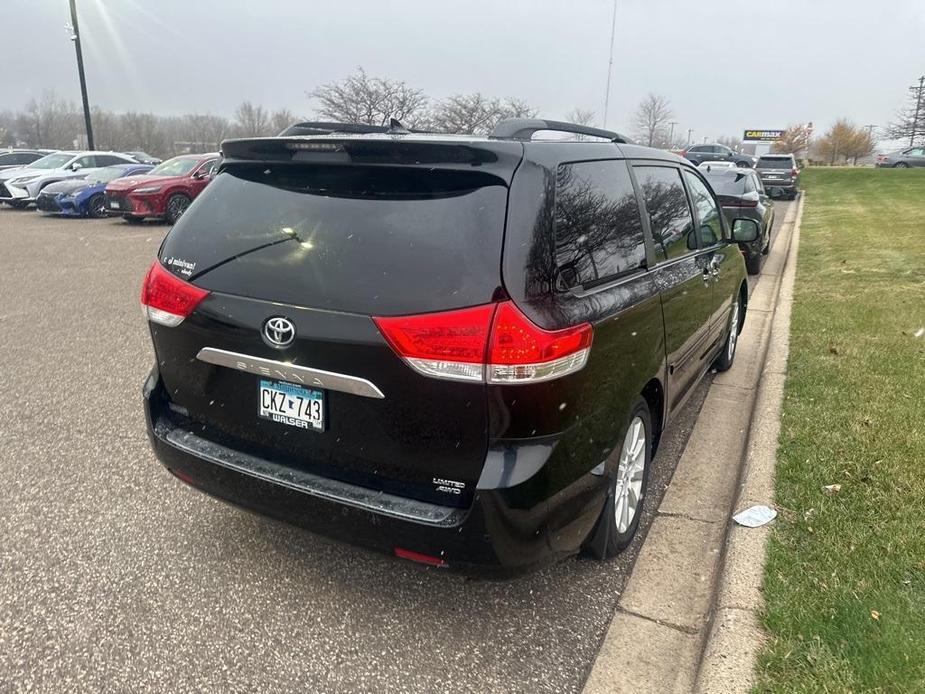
(372, 100)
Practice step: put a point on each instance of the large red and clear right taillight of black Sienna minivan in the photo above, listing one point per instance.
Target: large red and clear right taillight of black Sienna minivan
(493, 343)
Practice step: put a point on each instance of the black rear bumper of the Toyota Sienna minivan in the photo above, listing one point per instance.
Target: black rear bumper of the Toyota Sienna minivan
(505, 532)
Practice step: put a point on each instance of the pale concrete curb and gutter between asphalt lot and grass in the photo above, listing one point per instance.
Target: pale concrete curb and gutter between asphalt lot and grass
(686, 620)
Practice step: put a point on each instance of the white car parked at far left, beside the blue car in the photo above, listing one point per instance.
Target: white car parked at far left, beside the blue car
(20, 187)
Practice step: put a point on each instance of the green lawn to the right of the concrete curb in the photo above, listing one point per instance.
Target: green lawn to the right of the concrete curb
(845, 578)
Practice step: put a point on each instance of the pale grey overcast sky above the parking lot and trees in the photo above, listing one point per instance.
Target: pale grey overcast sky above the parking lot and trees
(725, 65)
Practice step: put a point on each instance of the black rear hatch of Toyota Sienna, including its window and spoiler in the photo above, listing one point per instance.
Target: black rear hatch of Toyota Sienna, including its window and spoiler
(328, 234)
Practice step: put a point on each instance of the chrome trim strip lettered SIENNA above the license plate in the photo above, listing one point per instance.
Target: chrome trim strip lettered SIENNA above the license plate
(285, 371)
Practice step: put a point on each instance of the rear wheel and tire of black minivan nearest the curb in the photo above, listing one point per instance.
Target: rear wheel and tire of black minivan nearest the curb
(626, 492)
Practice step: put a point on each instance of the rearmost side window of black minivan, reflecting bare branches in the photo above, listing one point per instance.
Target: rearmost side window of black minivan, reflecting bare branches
(598, 231)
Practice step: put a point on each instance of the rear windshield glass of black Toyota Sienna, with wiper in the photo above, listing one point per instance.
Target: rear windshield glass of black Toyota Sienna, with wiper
(366, 239)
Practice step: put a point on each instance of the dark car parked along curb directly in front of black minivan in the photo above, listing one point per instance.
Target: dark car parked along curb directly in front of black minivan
(742, 195)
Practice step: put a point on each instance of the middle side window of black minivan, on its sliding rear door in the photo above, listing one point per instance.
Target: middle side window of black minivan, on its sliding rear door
(669, 212)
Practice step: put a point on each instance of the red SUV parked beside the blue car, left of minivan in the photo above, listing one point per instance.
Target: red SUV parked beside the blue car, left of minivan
(165, 192)
